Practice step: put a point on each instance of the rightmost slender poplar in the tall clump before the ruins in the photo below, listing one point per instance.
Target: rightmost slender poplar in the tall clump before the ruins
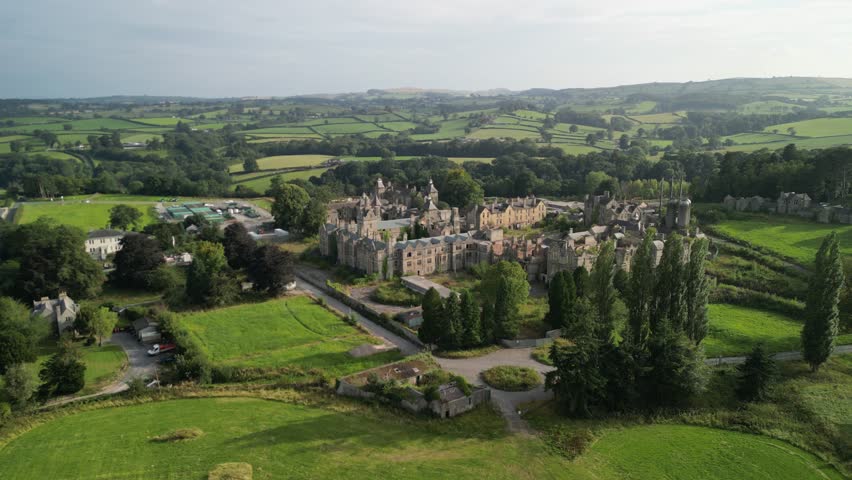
(697, 292)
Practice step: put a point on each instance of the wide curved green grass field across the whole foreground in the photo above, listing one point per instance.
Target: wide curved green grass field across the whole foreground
(282, 440)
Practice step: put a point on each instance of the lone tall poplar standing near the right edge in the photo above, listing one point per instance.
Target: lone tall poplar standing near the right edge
(821, 309)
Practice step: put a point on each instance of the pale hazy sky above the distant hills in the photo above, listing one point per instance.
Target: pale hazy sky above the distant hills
(215, 48)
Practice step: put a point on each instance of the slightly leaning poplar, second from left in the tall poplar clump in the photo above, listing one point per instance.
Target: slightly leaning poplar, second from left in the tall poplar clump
(640, 297)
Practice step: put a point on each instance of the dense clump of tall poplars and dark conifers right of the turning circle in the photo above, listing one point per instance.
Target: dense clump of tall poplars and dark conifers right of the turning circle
(653, 360)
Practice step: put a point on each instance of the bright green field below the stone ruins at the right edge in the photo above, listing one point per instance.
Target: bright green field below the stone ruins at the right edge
(789, 236)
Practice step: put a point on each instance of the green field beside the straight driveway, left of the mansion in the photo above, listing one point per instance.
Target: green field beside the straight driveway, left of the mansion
(277, 333)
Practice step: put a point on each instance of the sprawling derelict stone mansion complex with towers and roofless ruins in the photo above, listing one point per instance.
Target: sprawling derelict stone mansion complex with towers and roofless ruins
(431, 240)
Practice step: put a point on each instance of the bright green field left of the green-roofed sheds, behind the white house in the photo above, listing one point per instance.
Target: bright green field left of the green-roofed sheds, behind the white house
(88, 216)
